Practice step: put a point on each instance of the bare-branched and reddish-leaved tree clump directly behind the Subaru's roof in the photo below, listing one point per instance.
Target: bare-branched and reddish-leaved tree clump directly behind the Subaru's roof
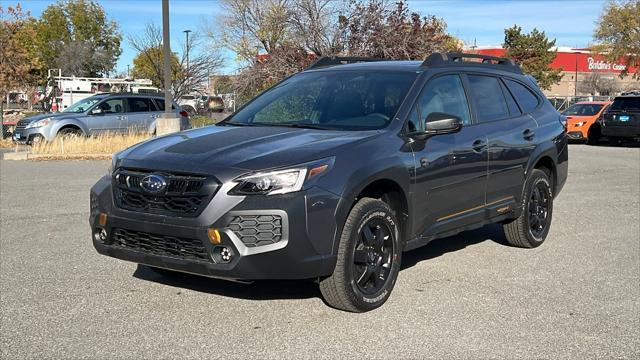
(276, 38)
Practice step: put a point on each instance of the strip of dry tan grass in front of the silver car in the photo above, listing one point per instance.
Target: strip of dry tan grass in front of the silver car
(87, 146)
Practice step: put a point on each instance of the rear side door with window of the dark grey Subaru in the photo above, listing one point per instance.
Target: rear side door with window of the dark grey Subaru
(511, 135)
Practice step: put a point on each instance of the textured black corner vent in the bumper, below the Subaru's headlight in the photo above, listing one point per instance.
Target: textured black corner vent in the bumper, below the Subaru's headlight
(257, 230)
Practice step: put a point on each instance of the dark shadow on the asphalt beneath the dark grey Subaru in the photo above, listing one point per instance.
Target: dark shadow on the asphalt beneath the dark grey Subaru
(305, 289)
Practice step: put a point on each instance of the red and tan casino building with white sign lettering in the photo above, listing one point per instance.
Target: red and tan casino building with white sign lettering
(595, 75)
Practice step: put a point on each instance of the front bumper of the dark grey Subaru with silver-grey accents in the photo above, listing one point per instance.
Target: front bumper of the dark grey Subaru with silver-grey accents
(305, 249)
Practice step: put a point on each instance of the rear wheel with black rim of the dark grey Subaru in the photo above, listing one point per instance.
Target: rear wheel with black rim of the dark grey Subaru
(529, 230)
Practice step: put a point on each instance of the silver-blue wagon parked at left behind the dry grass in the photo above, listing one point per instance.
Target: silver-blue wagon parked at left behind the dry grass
(99, 114)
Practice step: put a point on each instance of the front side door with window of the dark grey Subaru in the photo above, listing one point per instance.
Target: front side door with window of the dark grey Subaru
(451, 169)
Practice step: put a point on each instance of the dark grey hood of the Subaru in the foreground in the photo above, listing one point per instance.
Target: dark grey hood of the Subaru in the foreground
(228, 151)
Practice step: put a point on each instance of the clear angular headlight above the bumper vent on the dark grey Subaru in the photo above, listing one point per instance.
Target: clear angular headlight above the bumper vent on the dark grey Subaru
(280, 181)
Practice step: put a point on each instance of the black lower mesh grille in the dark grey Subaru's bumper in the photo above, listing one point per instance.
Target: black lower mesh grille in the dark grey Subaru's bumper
(164, 245)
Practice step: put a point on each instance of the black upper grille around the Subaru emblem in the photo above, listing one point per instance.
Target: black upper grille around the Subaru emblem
(184, 195)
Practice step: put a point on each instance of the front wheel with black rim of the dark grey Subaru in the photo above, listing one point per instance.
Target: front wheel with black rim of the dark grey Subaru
(369, 256)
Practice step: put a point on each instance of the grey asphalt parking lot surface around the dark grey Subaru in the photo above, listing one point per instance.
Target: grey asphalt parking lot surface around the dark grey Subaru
(469, 296)
